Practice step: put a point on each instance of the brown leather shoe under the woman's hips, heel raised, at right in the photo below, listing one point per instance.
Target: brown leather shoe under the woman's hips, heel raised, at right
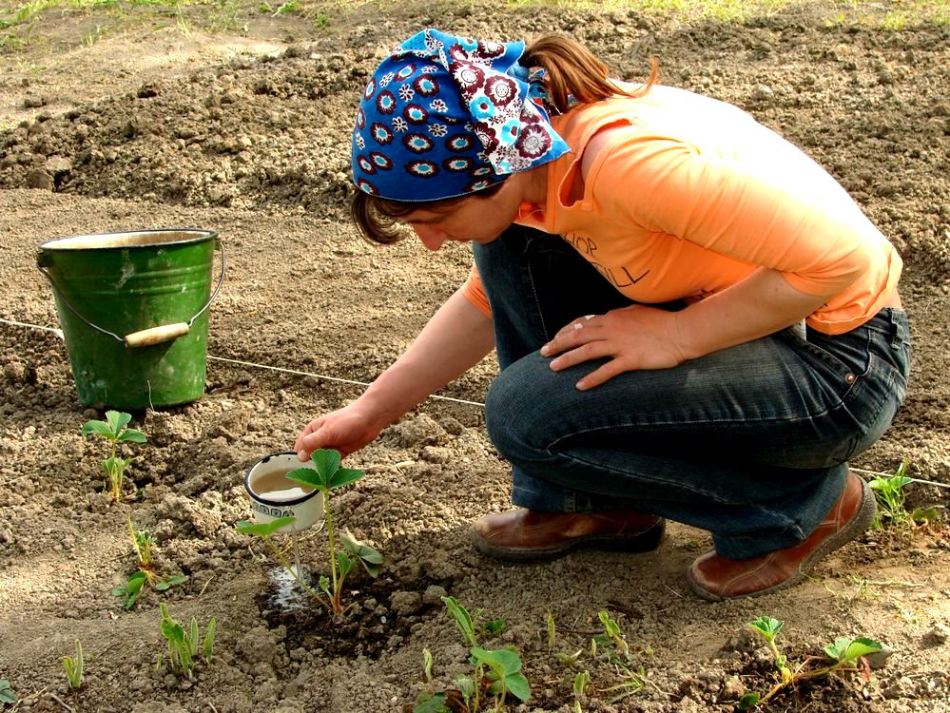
(716, 578)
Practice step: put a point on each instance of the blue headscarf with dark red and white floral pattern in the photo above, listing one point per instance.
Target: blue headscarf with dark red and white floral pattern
(444, 116)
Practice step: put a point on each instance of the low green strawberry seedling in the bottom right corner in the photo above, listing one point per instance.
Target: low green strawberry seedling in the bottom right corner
(845, 653)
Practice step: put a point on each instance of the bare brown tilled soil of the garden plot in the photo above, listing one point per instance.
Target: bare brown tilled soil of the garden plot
(248, 135)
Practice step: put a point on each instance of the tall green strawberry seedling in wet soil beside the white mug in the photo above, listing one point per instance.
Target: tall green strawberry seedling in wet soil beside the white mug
(327, 475)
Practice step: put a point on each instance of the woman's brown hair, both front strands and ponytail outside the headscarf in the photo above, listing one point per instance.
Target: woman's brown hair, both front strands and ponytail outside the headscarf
(572, 73)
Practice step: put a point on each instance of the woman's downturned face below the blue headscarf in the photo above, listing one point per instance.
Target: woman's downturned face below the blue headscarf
(475, 218)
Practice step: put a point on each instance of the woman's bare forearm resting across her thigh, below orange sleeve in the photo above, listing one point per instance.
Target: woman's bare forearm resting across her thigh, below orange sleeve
(761, 304)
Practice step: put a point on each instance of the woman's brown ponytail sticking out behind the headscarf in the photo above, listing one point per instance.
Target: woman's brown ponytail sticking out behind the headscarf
(573, 71)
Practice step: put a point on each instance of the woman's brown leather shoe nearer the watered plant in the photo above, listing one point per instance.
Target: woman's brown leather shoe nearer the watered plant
(522, 535)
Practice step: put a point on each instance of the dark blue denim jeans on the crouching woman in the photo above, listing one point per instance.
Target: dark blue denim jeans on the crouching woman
(750, 443)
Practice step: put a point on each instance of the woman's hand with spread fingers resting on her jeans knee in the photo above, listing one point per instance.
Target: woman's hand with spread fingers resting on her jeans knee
(631, 338)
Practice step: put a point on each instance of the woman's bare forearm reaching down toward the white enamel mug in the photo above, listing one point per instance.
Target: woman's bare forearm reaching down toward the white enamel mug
(456, 338)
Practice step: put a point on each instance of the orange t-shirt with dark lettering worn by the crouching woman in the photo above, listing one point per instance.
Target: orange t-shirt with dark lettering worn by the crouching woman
(692, 194)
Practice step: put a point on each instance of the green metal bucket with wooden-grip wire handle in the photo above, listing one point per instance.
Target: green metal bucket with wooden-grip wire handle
(134, 311)
